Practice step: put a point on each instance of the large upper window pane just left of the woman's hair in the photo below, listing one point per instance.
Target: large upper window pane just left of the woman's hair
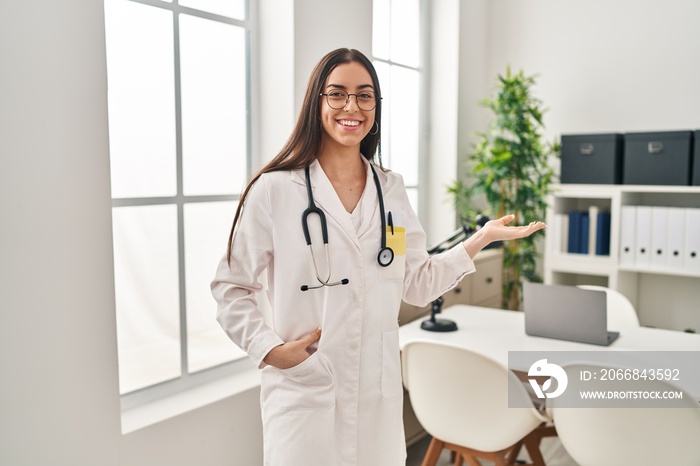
(213, 106)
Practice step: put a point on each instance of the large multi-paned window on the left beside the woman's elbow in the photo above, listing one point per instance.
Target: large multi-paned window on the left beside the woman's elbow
(178, 80)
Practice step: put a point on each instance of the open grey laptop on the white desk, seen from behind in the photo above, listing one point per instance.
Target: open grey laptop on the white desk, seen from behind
(566, 313)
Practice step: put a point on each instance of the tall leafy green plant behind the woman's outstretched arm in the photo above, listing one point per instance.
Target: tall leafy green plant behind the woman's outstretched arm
(510, 167)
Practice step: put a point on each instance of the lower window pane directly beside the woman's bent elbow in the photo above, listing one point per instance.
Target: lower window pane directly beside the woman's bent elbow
(206, 233)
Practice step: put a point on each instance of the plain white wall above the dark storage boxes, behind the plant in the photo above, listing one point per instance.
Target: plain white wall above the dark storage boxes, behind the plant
(604, 66)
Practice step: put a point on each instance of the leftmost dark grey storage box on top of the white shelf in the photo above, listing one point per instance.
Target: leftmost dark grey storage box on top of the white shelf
(591, 158)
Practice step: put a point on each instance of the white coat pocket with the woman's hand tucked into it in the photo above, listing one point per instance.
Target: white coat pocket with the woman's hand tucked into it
(308, 385)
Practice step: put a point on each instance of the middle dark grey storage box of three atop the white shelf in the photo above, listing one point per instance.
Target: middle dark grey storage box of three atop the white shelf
(658, 158)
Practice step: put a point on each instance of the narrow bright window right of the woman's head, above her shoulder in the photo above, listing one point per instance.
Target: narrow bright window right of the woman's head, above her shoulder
(396, 48)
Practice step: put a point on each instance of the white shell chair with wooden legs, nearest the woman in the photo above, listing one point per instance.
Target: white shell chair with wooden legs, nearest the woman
(461, 399)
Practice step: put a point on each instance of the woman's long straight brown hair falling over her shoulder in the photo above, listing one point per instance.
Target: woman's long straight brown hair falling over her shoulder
(304, 144)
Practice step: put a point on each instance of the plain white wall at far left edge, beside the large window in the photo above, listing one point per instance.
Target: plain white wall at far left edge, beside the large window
(59, 393)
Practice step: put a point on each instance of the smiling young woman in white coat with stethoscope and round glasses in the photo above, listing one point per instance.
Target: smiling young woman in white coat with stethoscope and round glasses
(342, 247)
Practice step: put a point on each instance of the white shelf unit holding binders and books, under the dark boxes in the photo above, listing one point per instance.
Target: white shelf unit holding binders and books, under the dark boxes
(664, 298)
